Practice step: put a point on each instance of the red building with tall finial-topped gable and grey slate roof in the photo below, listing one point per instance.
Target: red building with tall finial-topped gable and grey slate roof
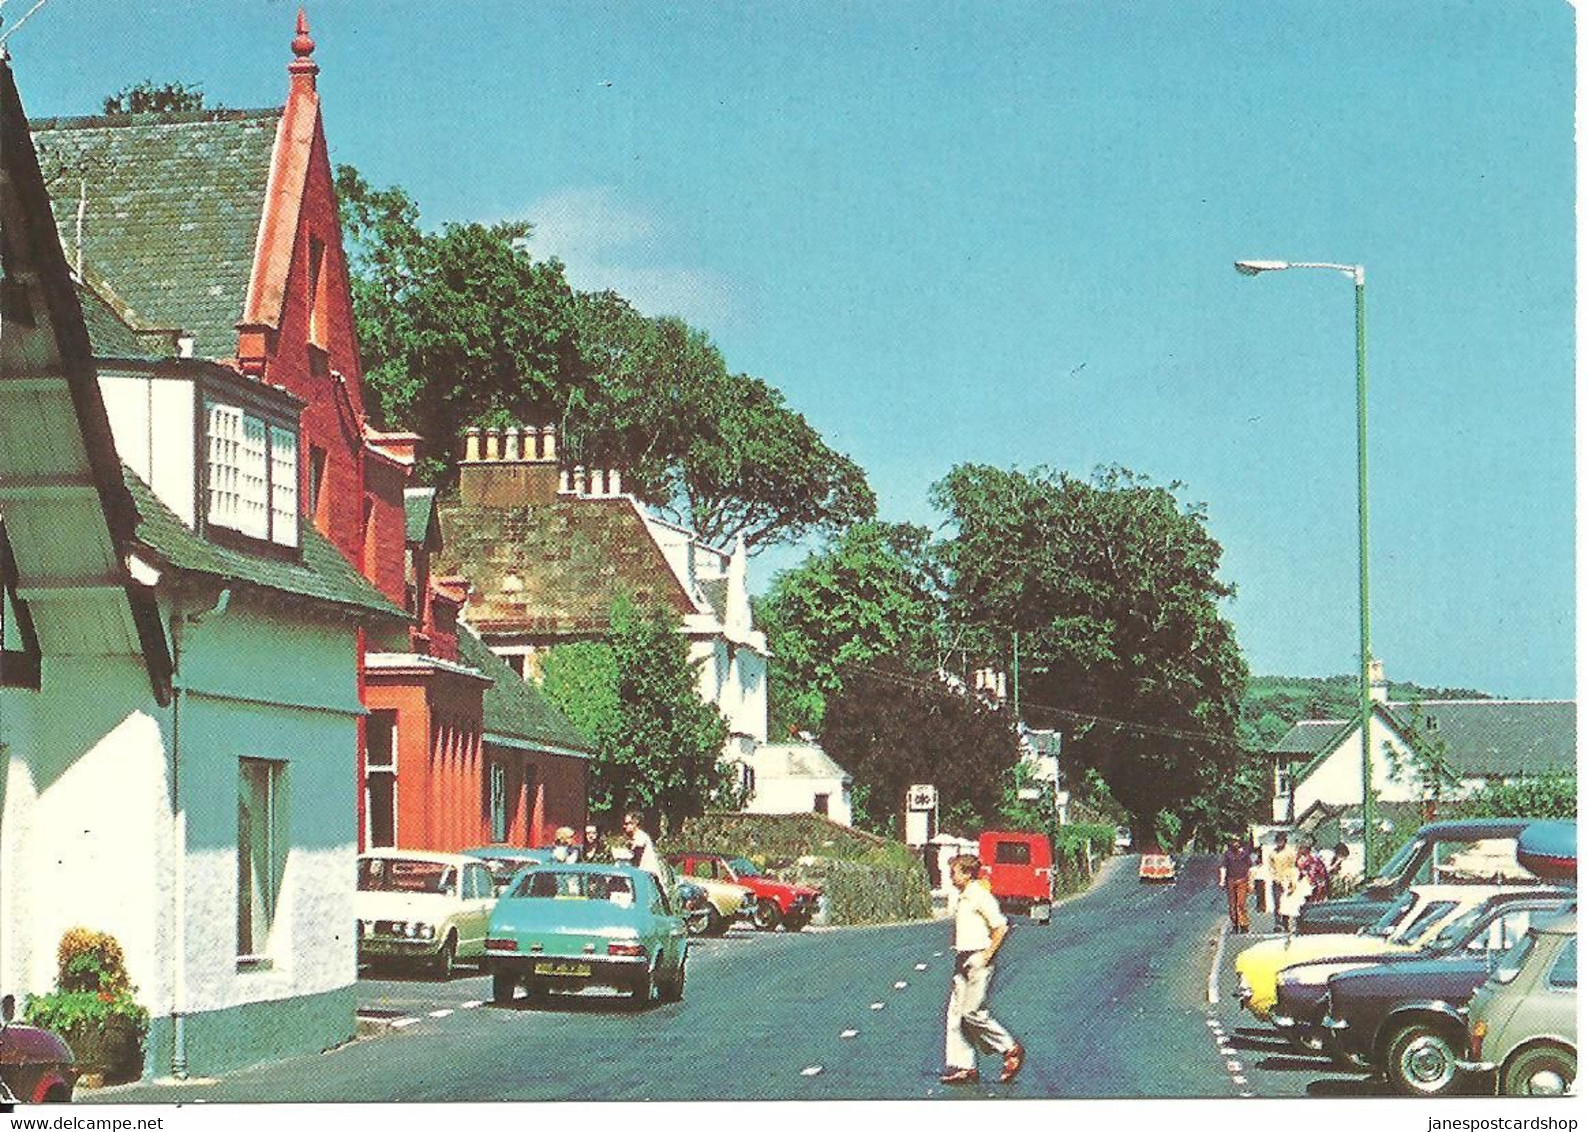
(449, 760)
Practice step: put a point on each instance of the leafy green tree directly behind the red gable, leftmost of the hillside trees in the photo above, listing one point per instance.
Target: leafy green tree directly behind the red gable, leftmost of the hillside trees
(457, 328)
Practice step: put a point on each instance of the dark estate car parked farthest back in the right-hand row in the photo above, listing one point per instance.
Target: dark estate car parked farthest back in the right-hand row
(1468, 852)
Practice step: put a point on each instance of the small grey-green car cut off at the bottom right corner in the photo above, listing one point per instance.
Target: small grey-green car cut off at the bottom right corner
(1524, 1020)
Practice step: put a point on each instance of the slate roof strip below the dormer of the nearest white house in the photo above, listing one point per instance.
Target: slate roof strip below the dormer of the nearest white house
(320, 574)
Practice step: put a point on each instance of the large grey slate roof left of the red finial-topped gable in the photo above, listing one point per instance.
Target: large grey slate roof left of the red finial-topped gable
(172, 209)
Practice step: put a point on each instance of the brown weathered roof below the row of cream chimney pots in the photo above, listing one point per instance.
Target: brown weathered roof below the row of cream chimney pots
(555, 569)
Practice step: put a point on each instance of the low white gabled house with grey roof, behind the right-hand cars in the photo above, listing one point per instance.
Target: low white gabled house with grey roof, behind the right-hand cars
(1320, 761)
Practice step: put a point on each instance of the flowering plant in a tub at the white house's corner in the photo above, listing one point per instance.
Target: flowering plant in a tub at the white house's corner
(93, 1007)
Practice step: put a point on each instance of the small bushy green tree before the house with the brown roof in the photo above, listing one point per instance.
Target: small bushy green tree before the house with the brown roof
(658, 744)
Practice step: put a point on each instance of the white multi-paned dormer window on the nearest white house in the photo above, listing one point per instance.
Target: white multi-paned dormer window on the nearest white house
(252, 476)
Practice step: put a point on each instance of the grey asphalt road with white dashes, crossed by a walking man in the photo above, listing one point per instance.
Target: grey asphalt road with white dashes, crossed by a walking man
(1111, 1001)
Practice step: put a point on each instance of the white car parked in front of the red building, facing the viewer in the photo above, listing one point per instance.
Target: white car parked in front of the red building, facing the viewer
(423, 909)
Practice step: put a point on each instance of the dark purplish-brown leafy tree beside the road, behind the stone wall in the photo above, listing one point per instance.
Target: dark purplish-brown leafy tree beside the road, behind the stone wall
(892, 730)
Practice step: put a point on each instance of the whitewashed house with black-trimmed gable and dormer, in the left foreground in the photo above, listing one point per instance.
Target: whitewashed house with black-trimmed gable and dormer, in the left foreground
(179, 685)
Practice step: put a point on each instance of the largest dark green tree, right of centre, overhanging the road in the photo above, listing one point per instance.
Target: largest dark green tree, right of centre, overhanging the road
(1114, 587)
